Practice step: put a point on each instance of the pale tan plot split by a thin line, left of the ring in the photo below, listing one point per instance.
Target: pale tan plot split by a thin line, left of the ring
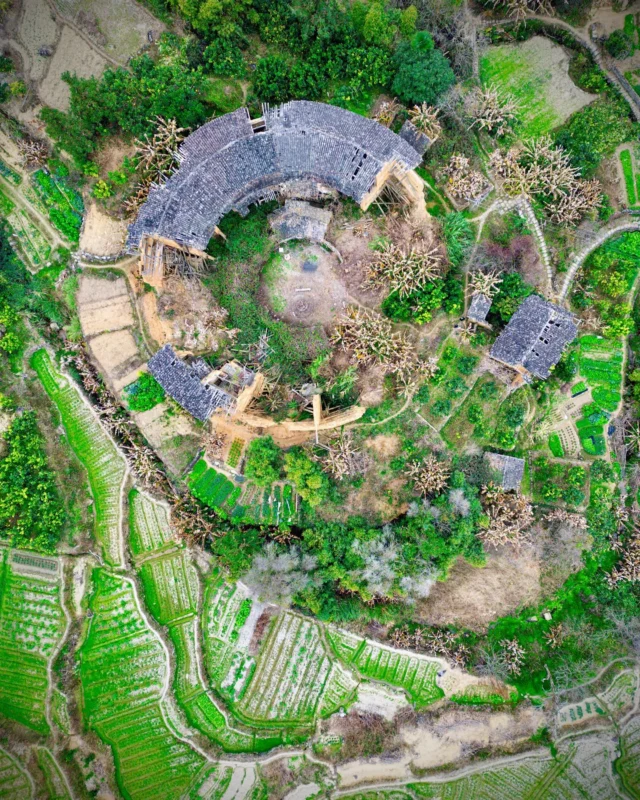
(103, 305)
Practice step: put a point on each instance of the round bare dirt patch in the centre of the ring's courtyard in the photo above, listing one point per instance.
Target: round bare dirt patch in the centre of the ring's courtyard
(308, 291)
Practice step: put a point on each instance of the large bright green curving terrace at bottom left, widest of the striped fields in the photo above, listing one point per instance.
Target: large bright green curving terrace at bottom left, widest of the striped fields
(124, 705)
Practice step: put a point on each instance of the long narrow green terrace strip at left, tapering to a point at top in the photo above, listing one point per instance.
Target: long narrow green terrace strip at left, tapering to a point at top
(105, 465)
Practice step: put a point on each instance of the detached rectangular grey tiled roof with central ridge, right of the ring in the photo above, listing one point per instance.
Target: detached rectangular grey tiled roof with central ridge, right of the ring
(535, 337)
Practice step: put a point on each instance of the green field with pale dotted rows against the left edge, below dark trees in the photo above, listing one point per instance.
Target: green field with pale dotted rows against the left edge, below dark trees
(32, 623)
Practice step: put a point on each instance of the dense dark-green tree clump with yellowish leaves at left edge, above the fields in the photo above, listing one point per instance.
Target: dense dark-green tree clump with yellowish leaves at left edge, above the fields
(31, 511)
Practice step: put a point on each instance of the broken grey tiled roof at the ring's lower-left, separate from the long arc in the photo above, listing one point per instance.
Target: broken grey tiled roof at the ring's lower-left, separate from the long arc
(183, 383)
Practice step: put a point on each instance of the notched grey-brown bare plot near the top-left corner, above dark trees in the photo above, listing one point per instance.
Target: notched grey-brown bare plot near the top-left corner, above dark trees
(73, 55)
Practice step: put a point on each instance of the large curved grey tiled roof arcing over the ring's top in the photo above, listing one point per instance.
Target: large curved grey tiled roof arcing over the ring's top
(225, 166)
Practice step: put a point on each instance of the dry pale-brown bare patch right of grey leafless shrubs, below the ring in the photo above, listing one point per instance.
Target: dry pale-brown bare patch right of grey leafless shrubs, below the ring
(473, 597)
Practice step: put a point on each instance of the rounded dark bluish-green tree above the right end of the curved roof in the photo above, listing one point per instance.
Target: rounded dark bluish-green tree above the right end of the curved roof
(423, 72)
